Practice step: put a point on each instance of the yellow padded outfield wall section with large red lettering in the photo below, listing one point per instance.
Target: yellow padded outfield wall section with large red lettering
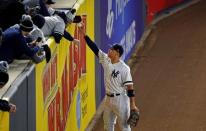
(65, 98)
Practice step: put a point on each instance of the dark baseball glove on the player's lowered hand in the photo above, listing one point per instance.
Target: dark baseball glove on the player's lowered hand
(133, 118)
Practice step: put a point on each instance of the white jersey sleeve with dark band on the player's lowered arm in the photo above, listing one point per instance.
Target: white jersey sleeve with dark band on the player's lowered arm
(127, 78)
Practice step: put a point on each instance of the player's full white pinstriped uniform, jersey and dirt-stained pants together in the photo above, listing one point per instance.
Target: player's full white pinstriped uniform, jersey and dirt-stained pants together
(116, 77)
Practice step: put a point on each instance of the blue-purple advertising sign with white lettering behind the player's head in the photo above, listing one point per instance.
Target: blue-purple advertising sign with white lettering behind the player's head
(122, 22)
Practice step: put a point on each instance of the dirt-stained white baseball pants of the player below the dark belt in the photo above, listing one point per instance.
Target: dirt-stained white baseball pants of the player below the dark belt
(116, 108)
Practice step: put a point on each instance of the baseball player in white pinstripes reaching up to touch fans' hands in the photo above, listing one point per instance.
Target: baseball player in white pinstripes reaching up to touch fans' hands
(120, 96)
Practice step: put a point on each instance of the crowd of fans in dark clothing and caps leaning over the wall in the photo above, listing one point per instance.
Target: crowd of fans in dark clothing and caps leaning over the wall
(24, 27)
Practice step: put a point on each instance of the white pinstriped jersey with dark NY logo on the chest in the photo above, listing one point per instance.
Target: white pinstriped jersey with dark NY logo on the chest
(116, 76)
